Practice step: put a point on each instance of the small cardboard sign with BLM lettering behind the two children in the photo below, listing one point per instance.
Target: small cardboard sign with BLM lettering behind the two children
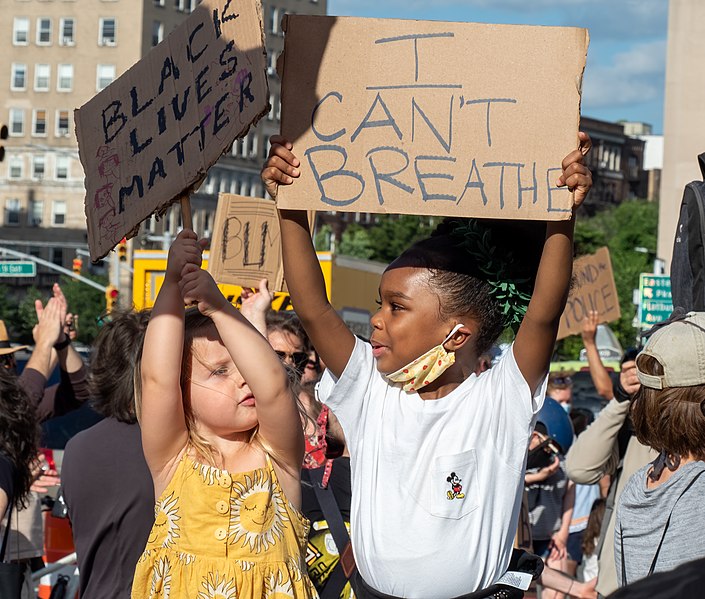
(246, 244)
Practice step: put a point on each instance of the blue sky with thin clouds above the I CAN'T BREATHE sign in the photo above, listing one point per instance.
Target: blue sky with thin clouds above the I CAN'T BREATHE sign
(625, 74)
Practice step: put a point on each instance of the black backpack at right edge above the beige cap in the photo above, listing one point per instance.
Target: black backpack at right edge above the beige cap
(688, 262)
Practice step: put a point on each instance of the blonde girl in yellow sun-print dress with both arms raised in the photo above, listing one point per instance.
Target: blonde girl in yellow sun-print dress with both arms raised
(223, 441)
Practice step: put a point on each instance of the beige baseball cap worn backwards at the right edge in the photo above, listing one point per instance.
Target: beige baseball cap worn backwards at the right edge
(679, 347)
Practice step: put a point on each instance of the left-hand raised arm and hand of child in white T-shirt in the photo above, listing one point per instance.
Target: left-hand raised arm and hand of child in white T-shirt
(329, 334)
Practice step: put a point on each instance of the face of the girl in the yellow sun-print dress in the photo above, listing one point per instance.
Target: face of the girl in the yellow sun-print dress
(221, 401)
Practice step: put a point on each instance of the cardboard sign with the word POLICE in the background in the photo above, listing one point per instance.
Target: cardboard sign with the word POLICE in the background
(593, 288)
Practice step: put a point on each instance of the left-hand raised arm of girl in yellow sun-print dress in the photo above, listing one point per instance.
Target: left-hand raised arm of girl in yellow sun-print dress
(164, 432)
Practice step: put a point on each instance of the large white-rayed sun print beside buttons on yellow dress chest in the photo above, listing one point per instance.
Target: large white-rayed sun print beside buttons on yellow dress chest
(257, 512)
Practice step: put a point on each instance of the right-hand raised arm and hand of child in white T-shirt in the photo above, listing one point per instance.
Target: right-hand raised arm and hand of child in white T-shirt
(537, 334)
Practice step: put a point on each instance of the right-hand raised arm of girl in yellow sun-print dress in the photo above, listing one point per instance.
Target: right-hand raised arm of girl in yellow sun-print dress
(263, 371)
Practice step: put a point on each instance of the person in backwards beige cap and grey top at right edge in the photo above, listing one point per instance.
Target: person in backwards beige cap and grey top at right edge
(661, 510)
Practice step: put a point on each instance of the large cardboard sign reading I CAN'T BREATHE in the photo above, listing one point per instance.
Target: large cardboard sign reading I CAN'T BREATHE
(414, 117)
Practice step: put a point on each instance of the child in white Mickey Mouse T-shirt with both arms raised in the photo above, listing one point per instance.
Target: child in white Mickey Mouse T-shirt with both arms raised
(437, 453)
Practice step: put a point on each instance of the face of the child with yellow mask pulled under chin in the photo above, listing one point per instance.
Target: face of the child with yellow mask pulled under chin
(407, 323)
